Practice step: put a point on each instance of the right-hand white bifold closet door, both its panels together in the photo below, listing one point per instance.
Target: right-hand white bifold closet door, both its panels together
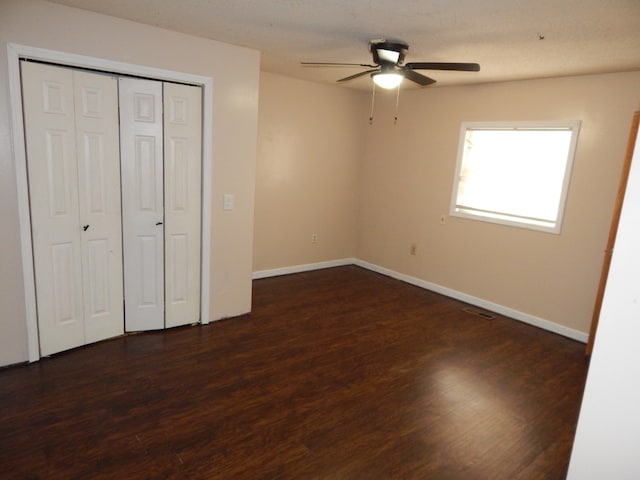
(161, 189)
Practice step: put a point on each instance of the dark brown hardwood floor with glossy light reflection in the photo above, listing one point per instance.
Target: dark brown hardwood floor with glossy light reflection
(336, 374)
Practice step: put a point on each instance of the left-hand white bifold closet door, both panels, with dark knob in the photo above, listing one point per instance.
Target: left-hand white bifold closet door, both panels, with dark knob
(71, 124)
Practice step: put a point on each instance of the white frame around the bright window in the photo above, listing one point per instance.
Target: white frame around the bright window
(507, 219)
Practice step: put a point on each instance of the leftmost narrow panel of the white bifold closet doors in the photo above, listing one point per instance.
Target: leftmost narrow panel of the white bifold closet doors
(48, 107)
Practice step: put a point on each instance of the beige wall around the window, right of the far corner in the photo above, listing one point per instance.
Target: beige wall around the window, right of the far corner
(408, 176)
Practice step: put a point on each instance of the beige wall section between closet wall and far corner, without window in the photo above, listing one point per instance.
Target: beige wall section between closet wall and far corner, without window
(307, 175)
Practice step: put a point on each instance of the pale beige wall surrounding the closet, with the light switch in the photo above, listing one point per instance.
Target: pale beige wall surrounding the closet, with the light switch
(235, 73)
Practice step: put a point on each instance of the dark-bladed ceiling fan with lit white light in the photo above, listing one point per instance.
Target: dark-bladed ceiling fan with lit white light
(388, 70)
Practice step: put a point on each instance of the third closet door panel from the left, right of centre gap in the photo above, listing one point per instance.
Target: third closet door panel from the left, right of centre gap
(142, 202)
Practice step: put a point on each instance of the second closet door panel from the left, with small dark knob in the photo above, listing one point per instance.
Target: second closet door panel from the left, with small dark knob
(98, 153)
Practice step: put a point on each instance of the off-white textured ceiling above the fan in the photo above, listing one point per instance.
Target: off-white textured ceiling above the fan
(503, 36)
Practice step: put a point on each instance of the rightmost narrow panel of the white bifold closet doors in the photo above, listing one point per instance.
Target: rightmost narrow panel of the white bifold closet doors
(182, 190)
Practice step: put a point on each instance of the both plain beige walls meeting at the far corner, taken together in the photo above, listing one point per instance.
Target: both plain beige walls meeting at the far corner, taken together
(404, 182)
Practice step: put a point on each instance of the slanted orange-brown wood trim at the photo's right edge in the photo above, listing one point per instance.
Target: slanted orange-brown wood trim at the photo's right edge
(608, 253)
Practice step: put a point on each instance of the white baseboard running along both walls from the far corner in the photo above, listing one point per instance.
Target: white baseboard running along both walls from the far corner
(463, 297)
